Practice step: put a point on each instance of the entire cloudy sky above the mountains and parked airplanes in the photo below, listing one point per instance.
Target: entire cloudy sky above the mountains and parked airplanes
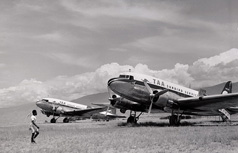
(70, 48)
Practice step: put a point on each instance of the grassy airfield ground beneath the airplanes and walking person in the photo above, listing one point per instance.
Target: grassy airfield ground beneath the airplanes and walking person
(150, 135)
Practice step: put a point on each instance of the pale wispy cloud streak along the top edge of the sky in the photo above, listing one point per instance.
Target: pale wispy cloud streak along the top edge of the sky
(120, 9)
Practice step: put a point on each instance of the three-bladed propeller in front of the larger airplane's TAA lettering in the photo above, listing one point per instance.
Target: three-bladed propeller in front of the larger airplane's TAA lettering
(153, 97)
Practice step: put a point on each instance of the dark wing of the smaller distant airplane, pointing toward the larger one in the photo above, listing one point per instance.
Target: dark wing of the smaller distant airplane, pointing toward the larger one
(85, 112)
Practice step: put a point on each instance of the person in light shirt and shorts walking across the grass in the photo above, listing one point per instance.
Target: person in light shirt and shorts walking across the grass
(34, 128)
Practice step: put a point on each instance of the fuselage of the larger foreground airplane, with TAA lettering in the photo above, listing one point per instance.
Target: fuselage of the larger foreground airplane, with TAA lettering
(131, 87)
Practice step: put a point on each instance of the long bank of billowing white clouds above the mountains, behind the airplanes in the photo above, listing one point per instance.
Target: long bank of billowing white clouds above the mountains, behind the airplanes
(203, 72)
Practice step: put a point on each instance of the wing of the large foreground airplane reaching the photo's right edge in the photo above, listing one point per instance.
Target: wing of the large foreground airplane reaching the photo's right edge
(206, 103)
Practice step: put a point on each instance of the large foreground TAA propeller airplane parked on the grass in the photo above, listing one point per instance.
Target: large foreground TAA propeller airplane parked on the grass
(143, 93)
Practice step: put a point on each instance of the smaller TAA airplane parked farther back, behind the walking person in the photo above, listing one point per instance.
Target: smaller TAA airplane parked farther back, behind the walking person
(62, 108)
